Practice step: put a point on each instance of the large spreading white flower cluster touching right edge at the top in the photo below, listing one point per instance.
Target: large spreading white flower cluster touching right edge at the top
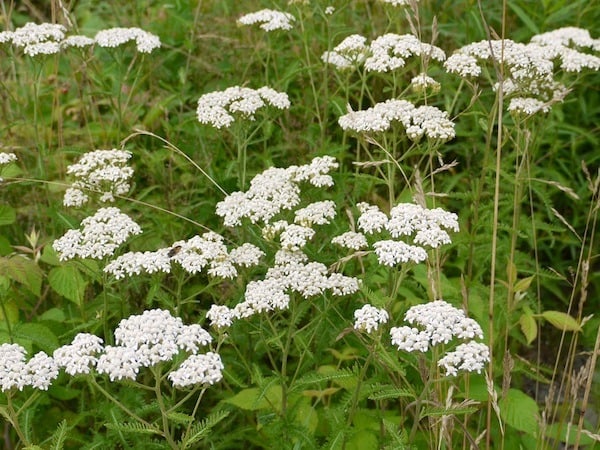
(530, 68)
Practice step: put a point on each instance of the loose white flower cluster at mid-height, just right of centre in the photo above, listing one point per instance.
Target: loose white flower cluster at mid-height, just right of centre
(427, 227)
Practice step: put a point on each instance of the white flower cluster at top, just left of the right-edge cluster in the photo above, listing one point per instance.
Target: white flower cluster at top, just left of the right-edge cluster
(385, 53)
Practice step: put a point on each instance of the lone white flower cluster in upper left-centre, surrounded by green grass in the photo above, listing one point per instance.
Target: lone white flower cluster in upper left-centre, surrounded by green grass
(219, 108)
